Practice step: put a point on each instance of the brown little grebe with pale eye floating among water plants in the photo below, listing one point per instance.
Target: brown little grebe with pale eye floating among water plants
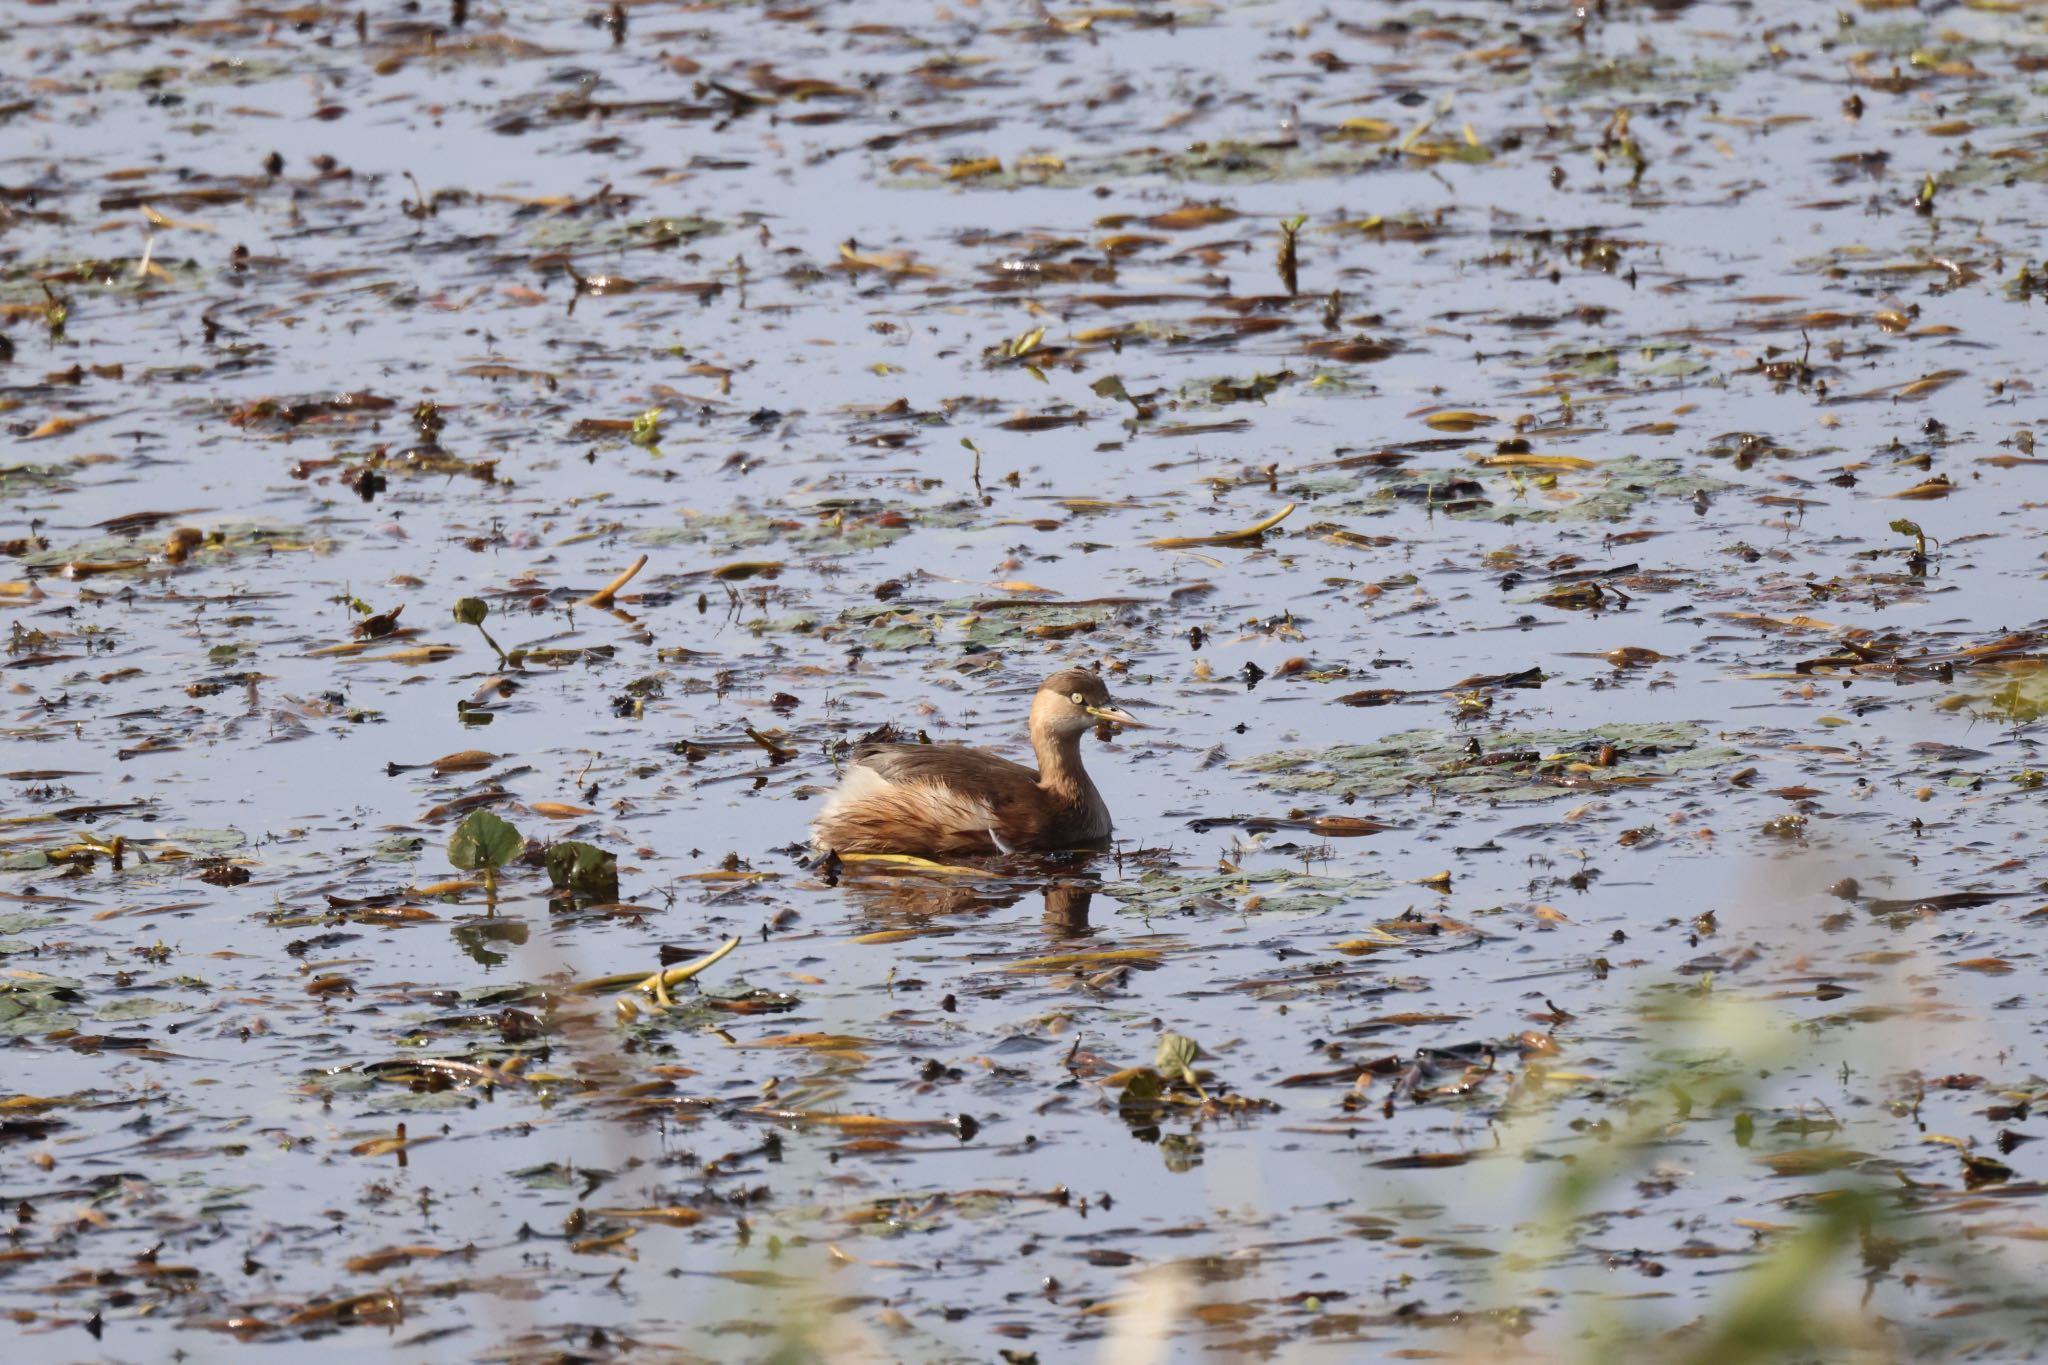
(951, 799)
